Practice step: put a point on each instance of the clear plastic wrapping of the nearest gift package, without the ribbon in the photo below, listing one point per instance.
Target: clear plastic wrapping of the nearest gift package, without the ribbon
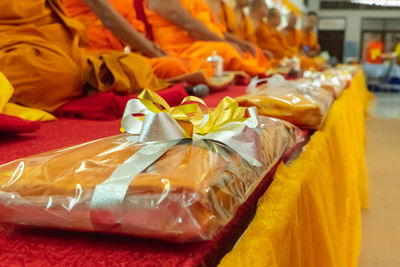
(188, 194)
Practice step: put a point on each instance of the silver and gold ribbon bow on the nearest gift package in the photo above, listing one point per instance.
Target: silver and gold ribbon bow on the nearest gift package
(159, 127)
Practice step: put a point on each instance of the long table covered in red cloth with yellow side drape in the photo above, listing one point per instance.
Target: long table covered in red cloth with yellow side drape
(309, 215)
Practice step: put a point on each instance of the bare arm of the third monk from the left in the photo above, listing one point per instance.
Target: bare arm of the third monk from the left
(173, 11)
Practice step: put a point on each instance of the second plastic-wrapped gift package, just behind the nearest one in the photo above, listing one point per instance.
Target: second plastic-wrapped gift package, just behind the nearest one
(298, 102)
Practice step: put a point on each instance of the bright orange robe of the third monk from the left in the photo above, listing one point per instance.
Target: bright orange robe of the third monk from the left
(177, 42)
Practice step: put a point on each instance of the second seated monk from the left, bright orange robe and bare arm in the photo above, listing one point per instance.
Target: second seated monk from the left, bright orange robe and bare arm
(113, 25)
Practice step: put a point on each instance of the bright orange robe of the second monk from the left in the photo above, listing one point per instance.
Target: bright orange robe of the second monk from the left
(101, 38)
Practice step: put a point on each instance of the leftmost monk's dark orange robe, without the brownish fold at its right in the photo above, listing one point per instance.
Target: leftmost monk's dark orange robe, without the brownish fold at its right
(38, 55)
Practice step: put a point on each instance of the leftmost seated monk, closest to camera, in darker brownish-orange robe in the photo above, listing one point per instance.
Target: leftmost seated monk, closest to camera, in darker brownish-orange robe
(41, 57)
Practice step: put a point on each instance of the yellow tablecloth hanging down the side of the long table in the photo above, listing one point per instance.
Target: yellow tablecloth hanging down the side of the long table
(311, 213)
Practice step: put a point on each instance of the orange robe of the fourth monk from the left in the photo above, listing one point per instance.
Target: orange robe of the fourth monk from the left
(244, 31)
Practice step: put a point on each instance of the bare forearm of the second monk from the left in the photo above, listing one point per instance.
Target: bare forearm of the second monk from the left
(121, 28)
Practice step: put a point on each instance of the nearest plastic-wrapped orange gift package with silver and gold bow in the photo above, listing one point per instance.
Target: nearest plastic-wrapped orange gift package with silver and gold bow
(160, 179)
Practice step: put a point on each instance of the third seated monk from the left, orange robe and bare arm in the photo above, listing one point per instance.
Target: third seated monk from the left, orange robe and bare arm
(186, 28)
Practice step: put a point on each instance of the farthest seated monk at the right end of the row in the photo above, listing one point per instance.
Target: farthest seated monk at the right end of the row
(309, 41)
